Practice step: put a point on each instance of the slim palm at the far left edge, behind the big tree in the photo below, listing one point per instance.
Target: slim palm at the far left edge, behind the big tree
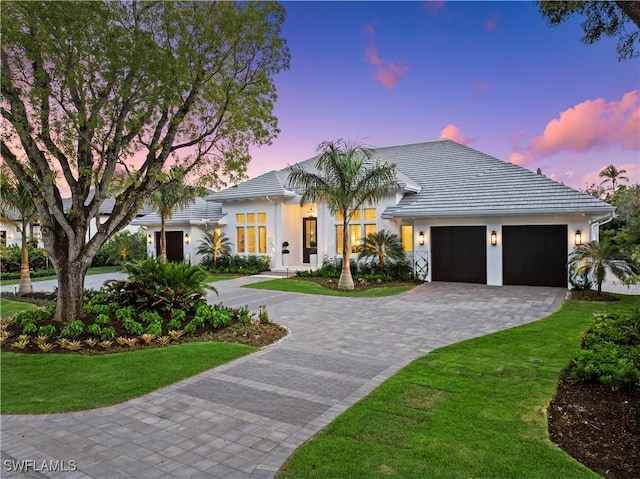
(13, 194)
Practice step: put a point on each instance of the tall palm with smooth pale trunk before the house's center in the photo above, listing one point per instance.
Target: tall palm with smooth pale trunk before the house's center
(345, 180)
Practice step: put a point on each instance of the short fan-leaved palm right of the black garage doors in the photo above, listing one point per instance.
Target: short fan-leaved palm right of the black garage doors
(599, 257)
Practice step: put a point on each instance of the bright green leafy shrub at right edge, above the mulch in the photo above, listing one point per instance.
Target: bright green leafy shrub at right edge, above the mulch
(611, 352)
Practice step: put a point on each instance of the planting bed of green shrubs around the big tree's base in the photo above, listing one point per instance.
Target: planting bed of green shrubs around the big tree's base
(159, 304)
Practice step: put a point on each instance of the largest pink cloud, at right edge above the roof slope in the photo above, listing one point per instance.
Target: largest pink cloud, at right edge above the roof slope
(586, 126)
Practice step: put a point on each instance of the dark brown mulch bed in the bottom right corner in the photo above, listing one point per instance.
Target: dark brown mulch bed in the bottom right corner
(598, 427)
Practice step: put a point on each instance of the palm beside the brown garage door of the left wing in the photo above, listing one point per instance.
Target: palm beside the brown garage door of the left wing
(172, 194)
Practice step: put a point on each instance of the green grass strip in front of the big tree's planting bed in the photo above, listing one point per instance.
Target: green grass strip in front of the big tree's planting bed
(42, 383)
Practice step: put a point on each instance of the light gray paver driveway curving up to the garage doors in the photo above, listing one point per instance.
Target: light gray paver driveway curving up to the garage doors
(243, 419)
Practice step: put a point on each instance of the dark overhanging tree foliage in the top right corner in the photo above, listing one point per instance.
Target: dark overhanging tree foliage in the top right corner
(619, 19)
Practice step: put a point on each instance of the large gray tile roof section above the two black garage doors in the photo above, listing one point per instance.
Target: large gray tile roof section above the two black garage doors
(459, 181)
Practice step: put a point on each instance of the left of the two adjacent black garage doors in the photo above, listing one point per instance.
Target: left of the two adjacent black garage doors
(459, 253)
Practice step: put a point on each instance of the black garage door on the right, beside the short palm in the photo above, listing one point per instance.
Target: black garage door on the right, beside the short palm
(534, 255)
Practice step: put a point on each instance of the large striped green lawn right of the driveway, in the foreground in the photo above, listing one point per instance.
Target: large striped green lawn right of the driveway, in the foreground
(473, 409)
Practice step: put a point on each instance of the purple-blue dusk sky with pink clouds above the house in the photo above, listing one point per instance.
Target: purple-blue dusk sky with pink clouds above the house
(491, 75)
